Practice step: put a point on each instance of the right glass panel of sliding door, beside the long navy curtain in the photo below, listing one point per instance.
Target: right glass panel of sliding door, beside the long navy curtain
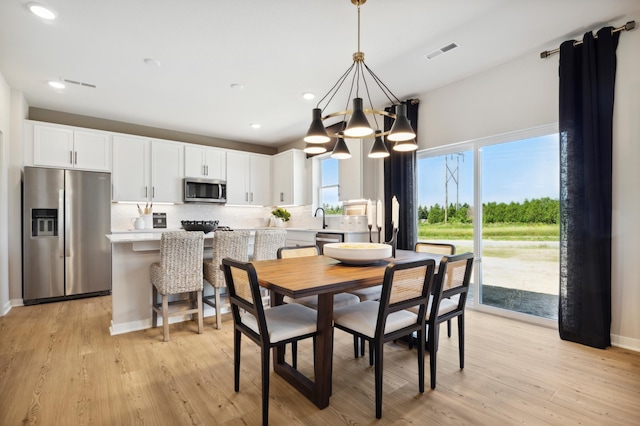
(520, 230)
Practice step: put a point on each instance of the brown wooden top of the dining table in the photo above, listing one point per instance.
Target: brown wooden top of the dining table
(305, 276)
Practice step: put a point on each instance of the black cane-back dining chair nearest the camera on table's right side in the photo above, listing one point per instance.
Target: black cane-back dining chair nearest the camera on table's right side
(405, 285)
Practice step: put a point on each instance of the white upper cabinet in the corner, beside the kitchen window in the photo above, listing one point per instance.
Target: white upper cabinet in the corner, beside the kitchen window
(289, 178)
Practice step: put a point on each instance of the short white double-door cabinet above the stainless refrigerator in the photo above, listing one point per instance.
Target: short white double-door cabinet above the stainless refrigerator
(65, 147)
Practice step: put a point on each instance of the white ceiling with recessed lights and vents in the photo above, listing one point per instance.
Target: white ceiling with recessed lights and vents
(275, 49)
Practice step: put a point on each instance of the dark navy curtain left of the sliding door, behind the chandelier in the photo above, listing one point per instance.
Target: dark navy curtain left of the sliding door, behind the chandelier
(399, 180)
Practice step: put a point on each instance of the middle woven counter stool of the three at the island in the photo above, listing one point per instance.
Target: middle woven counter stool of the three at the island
(232, 244)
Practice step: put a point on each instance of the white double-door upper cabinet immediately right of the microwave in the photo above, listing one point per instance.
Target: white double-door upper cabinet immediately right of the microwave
(248, 179)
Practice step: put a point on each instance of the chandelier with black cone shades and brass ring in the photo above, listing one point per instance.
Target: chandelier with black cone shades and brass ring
(355, 123)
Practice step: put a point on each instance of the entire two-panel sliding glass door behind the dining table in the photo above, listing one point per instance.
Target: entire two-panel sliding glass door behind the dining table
(499, 197)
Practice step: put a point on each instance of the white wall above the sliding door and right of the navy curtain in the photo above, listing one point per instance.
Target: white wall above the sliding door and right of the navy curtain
(524, 94)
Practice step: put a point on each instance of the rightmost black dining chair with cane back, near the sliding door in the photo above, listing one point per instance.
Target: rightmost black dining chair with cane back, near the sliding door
(452, 279)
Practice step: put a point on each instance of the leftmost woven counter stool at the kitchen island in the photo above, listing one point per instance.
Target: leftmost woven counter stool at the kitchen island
(178, 271)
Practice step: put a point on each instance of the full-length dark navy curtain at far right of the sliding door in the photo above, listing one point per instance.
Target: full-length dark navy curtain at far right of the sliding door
(587, 81)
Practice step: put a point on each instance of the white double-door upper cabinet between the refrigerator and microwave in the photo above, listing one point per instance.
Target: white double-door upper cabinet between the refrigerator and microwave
(147, 170)
